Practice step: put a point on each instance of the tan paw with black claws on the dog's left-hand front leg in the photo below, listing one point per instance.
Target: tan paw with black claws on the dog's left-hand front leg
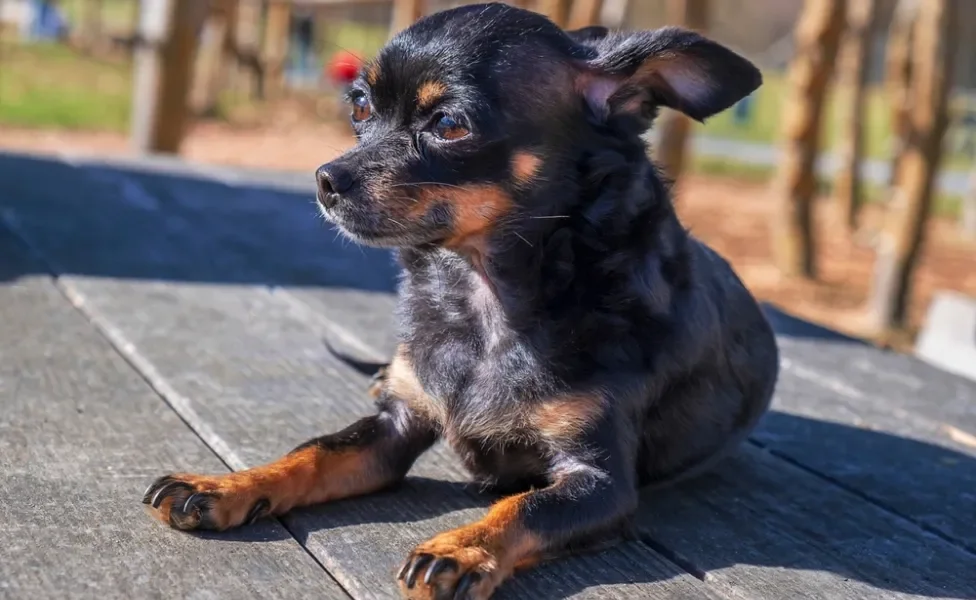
(206, 502)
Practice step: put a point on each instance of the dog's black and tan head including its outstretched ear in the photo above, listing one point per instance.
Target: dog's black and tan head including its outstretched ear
(476, 116)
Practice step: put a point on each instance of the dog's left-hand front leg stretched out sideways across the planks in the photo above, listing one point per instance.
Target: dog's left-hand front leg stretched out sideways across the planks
(368, 455)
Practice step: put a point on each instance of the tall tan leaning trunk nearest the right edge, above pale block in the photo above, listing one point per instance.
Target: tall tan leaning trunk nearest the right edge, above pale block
(933, 55)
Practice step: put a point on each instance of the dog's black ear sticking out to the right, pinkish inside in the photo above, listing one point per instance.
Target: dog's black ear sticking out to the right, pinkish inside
(637, 72)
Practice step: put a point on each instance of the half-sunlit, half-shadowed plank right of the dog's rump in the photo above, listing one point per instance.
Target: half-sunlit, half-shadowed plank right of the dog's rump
(906, 464)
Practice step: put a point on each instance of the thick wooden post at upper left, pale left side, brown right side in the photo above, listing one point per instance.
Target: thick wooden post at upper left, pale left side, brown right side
(163, 72)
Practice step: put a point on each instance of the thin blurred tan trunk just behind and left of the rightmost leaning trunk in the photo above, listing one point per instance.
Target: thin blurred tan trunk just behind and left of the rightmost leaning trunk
(898, 80)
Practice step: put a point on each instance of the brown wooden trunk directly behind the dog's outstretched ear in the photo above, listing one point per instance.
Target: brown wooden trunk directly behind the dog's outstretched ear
(672, 126)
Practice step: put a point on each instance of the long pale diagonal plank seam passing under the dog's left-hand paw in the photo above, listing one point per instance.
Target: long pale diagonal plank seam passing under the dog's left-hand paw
(178, 403)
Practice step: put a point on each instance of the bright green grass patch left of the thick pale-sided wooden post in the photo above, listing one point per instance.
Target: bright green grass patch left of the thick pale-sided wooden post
(52, 86)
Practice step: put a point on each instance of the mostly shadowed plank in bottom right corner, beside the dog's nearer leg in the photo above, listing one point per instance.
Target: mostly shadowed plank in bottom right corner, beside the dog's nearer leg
(766, 529)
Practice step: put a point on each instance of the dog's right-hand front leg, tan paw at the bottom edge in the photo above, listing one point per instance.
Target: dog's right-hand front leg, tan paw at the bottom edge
(472, 561)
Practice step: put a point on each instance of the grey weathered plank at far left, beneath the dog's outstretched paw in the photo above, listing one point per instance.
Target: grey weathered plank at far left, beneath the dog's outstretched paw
(80, 434)
